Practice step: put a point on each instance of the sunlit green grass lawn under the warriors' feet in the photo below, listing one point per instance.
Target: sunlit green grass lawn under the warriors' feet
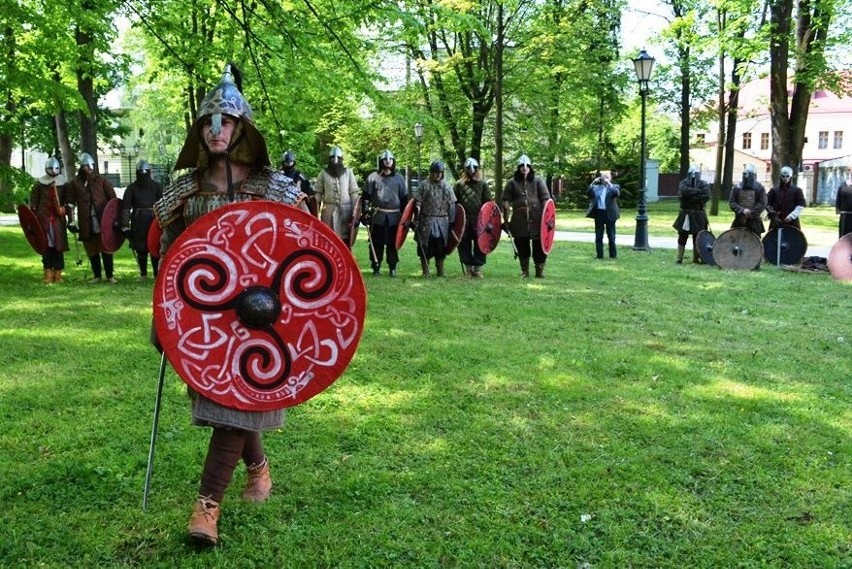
(629, 413)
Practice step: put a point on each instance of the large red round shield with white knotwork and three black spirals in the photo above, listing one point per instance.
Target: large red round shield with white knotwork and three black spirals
(259, 306)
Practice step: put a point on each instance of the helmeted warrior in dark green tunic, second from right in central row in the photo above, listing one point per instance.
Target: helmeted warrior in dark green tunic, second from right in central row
(472, 192)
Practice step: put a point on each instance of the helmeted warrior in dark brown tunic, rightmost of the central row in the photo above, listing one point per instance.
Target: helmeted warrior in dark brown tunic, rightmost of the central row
(523, 201)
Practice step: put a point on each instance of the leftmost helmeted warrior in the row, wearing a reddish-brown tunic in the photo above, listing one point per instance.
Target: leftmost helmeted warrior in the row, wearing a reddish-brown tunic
(49, 201)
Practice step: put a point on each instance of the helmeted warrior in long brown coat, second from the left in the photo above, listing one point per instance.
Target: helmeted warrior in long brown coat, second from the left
(91, 192)
